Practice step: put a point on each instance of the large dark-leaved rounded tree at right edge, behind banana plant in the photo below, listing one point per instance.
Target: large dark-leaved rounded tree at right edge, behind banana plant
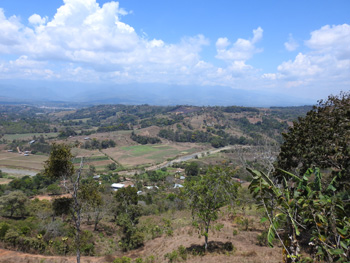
(320, 139)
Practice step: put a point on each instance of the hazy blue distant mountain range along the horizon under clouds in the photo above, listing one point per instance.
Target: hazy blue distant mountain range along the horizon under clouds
(33, 92)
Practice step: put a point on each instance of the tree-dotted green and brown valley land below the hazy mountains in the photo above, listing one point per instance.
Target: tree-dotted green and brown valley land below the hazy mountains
(297, 197)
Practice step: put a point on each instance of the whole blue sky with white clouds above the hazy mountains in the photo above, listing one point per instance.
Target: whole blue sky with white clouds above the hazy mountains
(297, 48)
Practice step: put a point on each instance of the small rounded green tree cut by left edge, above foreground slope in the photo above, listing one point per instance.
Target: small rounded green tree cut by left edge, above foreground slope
(14, 203)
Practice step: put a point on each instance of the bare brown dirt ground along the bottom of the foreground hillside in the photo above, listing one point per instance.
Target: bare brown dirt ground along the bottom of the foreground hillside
(245, 244)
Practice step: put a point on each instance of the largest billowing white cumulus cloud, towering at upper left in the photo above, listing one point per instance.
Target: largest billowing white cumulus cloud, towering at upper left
(93, 37)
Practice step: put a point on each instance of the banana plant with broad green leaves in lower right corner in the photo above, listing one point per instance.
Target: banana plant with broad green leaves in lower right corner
(303, 208)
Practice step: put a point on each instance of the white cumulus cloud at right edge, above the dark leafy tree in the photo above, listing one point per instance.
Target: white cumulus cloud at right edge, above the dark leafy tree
(325, 66)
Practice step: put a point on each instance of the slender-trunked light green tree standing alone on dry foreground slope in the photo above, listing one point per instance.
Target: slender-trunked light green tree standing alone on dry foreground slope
(207, 195)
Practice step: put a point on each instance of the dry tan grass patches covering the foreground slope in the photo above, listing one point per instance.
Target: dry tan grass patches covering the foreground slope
(245, 244)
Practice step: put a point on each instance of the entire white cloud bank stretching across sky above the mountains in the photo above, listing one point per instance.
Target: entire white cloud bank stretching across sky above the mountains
(86, 42)
